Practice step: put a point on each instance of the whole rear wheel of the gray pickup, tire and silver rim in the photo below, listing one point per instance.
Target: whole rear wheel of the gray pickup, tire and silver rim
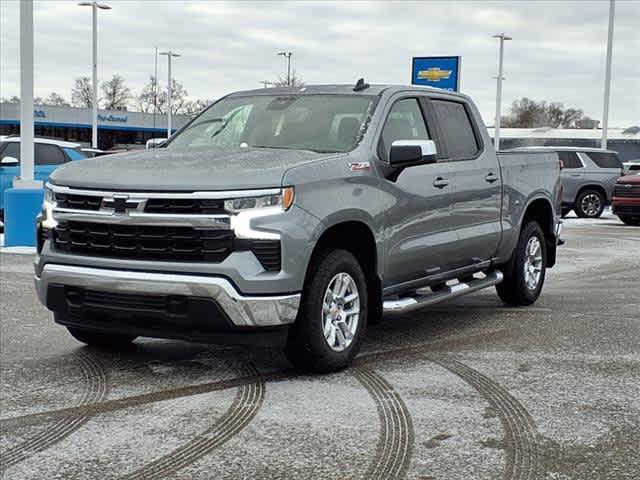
(524, 274)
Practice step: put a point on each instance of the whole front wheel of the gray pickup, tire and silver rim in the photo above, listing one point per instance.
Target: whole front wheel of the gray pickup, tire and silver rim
(333, 314)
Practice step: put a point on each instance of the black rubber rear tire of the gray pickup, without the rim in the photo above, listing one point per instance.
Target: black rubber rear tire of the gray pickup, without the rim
(514, 290)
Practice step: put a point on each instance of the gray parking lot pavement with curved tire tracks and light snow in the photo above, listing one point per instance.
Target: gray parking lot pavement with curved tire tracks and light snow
(465, 390)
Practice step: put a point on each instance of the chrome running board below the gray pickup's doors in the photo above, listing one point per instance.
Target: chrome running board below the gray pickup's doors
(406, 304)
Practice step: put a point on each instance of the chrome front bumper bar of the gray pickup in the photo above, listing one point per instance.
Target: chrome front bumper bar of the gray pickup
(242, 311)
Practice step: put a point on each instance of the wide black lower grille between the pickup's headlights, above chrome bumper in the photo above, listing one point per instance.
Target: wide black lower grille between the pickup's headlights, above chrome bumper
(143, 242)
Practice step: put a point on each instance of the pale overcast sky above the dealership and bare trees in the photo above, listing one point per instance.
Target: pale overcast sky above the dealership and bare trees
(558, 51)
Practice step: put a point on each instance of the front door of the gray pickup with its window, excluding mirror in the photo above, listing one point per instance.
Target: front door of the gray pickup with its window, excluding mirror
(418, 237)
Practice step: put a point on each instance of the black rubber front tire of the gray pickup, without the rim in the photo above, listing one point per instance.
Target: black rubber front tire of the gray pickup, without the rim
(307, 349)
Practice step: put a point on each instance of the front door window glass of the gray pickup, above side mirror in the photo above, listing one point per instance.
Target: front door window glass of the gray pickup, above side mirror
(404, 122)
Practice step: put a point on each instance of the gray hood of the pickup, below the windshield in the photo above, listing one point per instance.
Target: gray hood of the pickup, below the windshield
(183, 170)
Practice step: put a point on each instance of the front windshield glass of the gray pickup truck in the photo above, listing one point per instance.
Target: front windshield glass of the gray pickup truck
(322, 123)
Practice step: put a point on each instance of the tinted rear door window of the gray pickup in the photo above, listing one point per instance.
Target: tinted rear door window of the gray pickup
(457, 130)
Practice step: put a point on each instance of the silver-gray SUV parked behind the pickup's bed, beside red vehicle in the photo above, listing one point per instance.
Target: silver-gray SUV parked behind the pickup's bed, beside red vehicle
(588, 177)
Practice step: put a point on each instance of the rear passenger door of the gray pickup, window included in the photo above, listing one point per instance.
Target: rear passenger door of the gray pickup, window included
(475, 180)
